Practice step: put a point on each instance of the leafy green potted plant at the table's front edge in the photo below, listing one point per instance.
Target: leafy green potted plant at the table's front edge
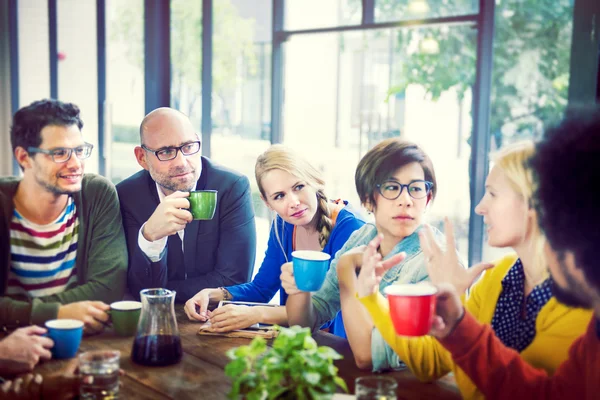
(294, 367)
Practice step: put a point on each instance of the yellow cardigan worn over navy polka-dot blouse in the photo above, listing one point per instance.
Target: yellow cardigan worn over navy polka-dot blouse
(557, 326)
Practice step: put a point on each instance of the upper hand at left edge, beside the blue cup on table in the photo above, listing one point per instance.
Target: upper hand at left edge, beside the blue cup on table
(23, 349)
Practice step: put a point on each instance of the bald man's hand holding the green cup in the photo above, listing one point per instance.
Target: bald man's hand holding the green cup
(171, 216)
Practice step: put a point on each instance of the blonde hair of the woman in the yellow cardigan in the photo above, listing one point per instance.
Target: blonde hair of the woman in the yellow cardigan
(513, 160)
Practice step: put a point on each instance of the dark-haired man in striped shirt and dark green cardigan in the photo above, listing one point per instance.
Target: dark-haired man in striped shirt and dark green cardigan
(61, 238)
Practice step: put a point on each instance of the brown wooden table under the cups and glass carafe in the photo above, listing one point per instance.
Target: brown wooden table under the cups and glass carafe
(200, 373)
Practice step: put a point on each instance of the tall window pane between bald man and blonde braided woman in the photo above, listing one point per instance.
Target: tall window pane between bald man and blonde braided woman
(241, 98)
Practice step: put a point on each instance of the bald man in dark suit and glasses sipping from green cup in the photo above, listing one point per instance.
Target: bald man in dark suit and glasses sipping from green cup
(167, 248)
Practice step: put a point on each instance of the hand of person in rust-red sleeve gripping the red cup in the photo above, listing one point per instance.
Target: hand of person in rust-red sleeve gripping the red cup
(449, 311)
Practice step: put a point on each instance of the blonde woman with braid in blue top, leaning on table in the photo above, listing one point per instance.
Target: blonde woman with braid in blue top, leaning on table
(306, 220)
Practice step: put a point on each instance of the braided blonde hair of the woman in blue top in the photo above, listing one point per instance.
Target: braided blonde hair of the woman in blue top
(285, 159)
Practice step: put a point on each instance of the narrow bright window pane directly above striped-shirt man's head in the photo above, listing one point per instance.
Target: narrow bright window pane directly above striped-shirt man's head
(78, 67)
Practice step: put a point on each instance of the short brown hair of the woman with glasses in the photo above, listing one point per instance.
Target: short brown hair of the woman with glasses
(383, 160)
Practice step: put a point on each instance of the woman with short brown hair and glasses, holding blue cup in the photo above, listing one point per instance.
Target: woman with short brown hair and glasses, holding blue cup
(395, 181)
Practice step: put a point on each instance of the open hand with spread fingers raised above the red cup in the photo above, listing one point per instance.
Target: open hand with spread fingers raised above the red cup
(443, 265)
